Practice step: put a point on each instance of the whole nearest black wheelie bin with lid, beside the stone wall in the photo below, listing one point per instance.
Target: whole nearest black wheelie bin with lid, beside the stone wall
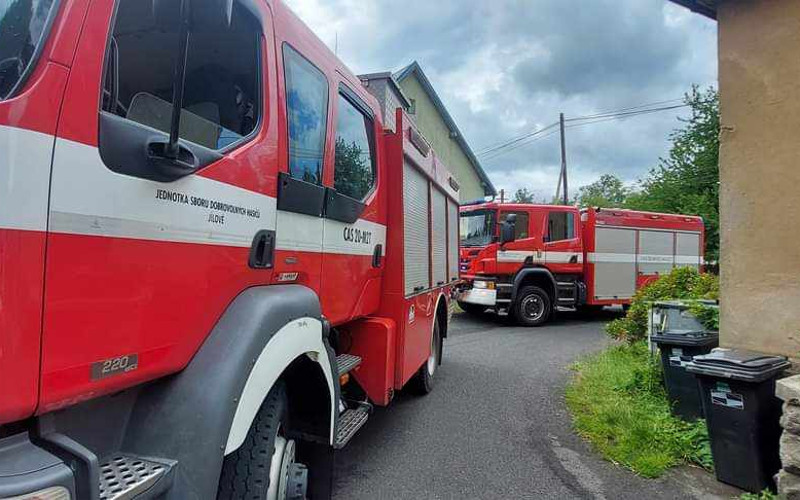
(742, 414)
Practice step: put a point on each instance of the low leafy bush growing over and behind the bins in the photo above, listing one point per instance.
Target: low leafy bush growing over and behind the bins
(681, 283)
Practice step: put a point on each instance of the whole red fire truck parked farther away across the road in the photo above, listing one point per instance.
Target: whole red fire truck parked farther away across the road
(533, 260)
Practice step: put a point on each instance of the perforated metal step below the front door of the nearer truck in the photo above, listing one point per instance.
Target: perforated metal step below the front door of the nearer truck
(125, 476)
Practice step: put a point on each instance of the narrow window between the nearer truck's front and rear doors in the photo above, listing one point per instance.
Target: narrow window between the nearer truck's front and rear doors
(307, 110)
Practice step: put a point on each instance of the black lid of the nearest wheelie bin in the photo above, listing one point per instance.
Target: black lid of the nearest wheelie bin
(738, 364)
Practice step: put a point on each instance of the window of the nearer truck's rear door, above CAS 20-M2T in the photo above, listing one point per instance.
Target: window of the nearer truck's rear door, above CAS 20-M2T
(354, 168)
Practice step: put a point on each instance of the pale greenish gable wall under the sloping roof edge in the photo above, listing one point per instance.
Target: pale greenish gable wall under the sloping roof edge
(435, 130)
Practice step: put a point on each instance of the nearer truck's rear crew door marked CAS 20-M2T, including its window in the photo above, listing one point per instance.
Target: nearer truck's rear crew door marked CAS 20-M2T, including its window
(354, 234)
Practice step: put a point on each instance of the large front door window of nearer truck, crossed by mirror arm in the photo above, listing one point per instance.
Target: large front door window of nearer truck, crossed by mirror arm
(222, 83)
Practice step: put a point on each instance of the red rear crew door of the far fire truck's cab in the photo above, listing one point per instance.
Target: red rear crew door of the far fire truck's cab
(563, 242)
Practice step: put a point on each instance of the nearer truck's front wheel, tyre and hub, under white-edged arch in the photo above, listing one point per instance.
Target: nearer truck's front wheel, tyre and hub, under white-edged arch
(264, 467)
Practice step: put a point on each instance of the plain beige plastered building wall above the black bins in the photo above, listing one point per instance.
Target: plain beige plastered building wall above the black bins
(759, 58)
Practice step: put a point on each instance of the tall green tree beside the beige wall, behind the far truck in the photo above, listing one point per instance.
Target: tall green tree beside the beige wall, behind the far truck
(687, 180)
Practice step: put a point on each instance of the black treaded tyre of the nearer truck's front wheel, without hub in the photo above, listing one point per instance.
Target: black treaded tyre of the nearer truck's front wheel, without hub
(245, 472)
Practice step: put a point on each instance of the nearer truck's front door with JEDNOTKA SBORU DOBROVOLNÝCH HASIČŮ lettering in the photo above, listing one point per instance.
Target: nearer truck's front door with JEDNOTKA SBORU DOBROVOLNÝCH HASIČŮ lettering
(144, 255)
